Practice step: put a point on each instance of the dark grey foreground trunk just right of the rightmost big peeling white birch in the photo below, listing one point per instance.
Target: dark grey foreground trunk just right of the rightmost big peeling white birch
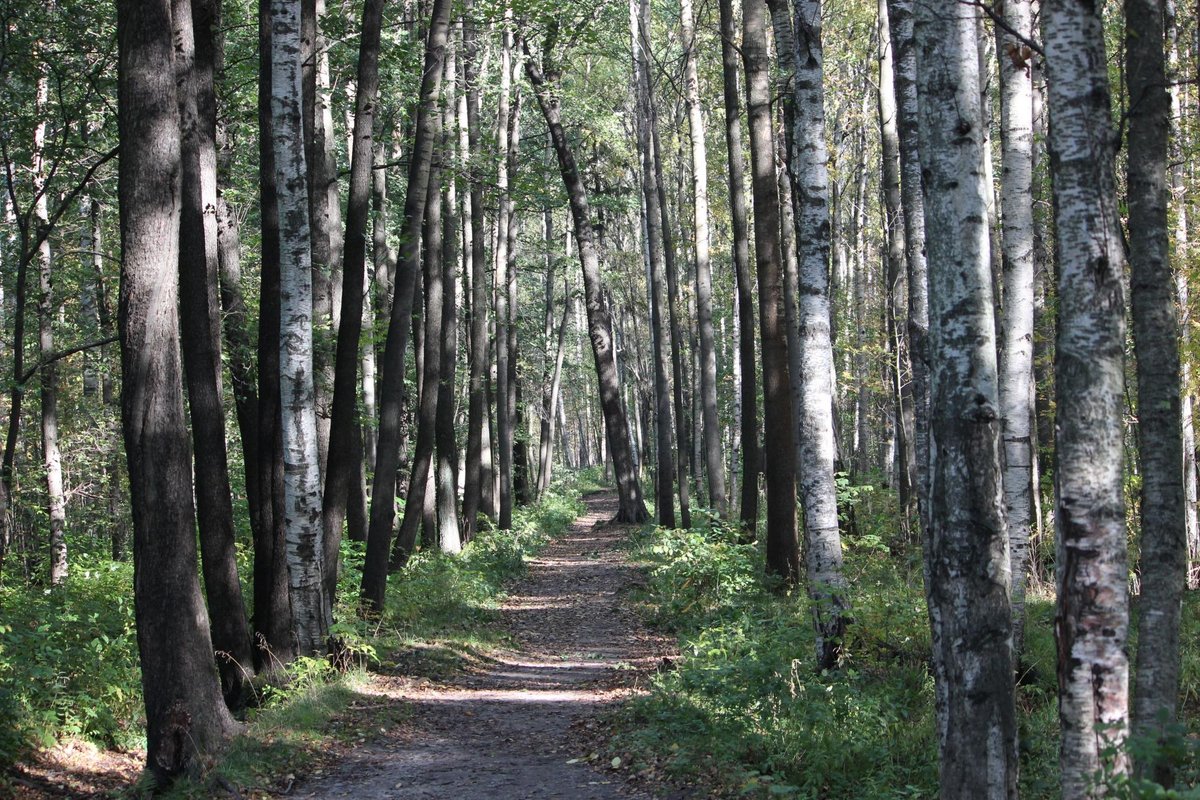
(1156, 330)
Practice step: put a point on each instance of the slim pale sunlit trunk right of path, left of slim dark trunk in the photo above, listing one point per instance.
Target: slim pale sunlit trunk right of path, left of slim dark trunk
(715, 461)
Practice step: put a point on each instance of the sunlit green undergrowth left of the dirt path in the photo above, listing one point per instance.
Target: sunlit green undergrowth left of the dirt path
(69, 659)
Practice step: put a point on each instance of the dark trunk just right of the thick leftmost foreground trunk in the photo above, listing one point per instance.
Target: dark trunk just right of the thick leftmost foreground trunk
(202, 341)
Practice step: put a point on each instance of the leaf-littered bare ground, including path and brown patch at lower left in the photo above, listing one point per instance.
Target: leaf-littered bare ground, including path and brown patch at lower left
(523, 723)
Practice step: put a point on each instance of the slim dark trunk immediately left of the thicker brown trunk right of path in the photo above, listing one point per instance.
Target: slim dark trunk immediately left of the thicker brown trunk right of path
(749, 384)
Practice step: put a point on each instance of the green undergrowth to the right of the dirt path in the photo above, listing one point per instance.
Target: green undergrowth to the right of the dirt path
(745, 712)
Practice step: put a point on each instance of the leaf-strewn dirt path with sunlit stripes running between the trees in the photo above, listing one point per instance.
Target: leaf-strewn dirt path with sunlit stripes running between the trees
(507, 733)
